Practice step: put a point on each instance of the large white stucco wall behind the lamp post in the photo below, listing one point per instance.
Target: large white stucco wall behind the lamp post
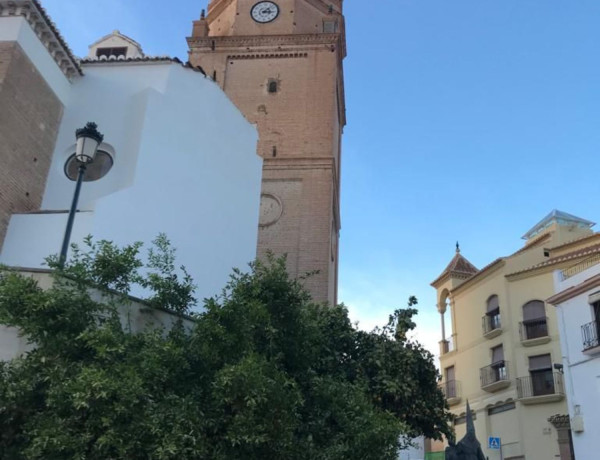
(185, 164)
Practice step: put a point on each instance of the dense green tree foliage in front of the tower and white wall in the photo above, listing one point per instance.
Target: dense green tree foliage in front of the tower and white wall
(263, 373)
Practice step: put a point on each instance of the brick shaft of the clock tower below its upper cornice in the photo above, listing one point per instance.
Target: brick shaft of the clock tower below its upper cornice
(299, 131)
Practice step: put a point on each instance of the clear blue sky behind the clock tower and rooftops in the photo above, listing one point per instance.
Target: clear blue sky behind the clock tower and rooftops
(468, 120)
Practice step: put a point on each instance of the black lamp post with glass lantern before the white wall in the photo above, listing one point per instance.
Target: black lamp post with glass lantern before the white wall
(88, 140)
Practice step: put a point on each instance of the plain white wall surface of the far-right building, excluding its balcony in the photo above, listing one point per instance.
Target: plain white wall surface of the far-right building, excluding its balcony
(582, 371)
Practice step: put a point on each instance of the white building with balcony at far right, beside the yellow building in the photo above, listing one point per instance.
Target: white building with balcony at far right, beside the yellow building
(577, 302)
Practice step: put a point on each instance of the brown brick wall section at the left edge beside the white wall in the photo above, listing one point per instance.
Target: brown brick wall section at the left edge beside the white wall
(30, 114)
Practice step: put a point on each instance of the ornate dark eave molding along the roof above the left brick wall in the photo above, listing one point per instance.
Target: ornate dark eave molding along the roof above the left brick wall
(46, 31)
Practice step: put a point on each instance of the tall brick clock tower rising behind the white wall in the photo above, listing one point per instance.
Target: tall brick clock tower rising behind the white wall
(280, 62)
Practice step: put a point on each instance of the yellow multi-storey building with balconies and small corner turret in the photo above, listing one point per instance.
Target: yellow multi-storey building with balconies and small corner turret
(500, 347)
